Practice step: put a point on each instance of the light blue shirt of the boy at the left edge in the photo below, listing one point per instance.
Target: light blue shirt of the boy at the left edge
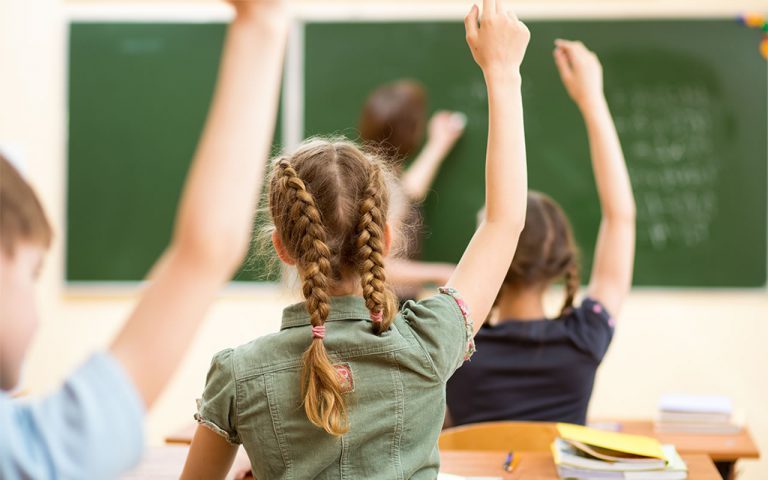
(91, 427)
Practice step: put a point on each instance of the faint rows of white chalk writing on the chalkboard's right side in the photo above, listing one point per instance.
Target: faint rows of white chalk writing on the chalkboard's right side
(668, 133)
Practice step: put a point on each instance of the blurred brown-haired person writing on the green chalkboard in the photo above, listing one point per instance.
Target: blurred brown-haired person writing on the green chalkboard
(394, 120)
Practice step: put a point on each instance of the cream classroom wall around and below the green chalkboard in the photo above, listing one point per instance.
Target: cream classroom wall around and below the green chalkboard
(684, 341)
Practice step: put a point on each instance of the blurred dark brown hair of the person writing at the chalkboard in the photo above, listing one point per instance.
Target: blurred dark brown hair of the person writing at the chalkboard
(394, 118)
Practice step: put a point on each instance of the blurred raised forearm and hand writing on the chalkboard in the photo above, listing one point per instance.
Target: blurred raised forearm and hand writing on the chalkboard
(445, 129)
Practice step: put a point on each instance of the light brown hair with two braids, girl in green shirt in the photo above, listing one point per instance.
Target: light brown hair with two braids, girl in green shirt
(329, 203)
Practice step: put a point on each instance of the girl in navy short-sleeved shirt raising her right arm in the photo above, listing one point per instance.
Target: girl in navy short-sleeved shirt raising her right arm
(528, 367)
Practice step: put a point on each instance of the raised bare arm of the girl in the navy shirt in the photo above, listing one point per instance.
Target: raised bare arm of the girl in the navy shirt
(614, 257)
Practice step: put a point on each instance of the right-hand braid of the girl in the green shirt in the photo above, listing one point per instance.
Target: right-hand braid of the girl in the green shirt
(379, 298)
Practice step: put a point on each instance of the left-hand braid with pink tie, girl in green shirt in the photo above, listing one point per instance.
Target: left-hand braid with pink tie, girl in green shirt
(323, 399)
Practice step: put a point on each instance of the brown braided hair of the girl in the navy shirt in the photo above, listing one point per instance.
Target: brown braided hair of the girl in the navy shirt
(546, 250)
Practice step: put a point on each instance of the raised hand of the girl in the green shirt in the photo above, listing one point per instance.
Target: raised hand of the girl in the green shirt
(498, 40)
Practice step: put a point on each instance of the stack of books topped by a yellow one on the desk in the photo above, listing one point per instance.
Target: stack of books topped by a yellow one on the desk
(583, 453)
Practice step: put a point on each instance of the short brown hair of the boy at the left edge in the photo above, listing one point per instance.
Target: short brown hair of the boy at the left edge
(22, 218)
